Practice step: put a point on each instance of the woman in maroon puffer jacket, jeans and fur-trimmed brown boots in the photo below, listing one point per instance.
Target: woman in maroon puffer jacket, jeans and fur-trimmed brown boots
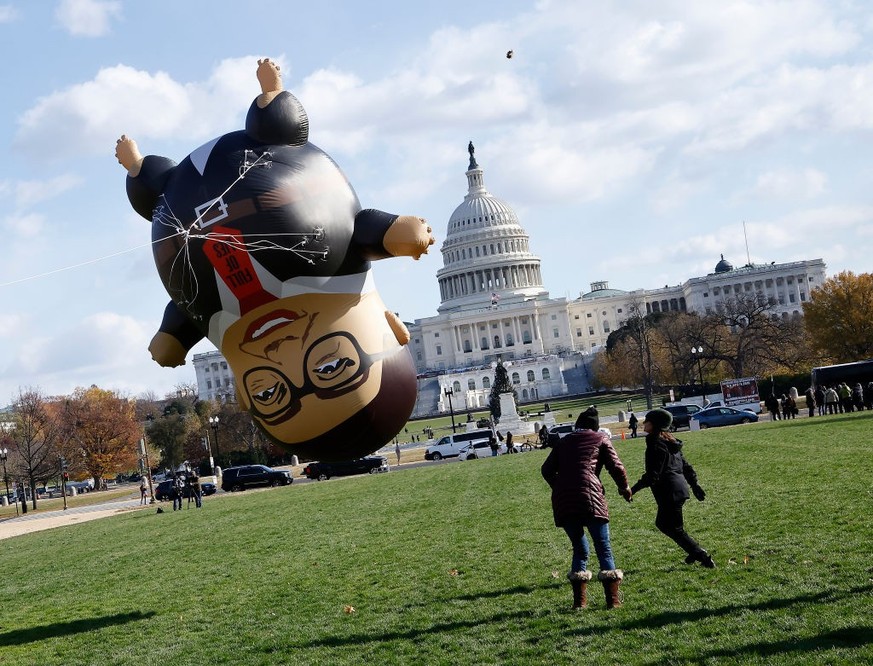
(579, 502)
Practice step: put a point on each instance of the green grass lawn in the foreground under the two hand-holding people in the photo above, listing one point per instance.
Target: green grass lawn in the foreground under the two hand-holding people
(460, 563)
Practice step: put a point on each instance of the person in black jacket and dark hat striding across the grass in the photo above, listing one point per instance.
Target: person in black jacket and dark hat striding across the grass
(669, 475)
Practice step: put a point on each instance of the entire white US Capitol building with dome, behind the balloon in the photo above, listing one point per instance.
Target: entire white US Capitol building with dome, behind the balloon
(493, 305)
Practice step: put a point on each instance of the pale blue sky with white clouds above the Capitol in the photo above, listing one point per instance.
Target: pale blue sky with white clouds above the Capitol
(633, 140)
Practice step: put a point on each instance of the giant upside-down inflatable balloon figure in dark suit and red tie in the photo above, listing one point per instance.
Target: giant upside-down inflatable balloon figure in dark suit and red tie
(263, 247)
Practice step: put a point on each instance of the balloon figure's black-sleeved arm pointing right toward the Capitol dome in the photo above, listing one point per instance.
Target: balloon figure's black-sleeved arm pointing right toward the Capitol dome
(380, 235)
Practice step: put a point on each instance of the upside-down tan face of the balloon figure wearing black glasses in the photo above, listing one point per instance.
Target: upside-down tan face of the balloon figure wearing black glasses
(307, 363)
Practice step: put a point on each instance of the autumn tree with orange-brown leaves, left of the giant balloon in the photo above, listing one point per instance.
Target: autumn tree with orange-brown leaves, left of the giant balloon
(102, 425)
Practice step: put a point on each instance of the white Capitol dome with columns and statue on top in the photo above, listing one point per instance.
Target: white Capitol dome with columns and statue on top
(486, 252)
